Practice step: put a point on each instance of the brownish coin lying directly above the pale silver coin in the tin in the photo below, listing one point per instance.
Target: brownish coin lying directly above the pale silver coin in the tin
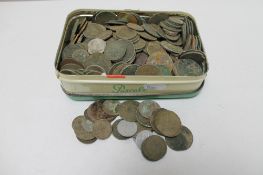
(93, 30)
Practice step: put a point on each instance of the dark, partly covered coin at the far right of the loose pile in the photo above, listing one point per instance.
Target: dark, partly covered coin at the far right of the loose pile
(181, 142)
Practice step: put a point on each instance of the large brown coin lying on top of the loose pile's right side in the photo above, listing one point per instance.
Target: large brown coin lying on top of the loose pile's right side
(167, 122)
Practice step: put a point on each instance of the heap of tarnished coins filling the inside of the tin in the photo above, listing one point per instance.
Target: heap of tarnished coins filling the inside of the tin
(128, 44)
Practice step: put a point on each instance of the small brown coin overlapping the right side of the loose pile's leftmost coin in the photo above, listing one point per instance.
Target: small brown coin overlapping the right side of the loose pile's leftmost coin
(102, 129)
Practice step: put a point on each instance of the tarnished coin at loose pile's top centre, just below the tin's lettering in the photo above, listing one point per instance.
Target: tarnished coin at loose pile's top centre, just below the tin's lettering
(127, 110)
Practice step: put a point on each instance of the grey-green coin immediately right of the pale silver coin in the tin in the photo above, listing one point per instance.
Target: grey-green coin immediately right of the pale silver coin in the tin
(115, 50)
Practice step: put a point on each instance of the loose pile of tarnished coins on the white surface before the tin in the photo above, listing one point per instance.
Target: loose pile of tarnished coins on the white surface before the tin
(152, 128)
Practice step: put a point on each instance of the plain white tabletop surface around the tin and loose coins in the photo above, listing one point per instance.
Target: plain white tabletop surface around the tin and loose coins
(35, 116)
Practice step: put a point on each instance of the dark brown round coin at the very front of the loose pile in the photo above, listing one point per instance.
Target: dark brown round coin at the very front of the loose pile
(154, 148)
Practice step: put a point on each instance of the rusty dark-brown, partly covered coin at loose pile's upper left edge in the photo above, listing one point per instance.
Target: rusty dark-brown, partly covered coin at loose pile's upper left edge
(95, 112)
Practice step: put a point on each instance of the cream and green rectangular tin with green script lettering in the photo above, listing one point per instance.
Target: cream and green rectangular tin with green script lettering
(91, 87)
